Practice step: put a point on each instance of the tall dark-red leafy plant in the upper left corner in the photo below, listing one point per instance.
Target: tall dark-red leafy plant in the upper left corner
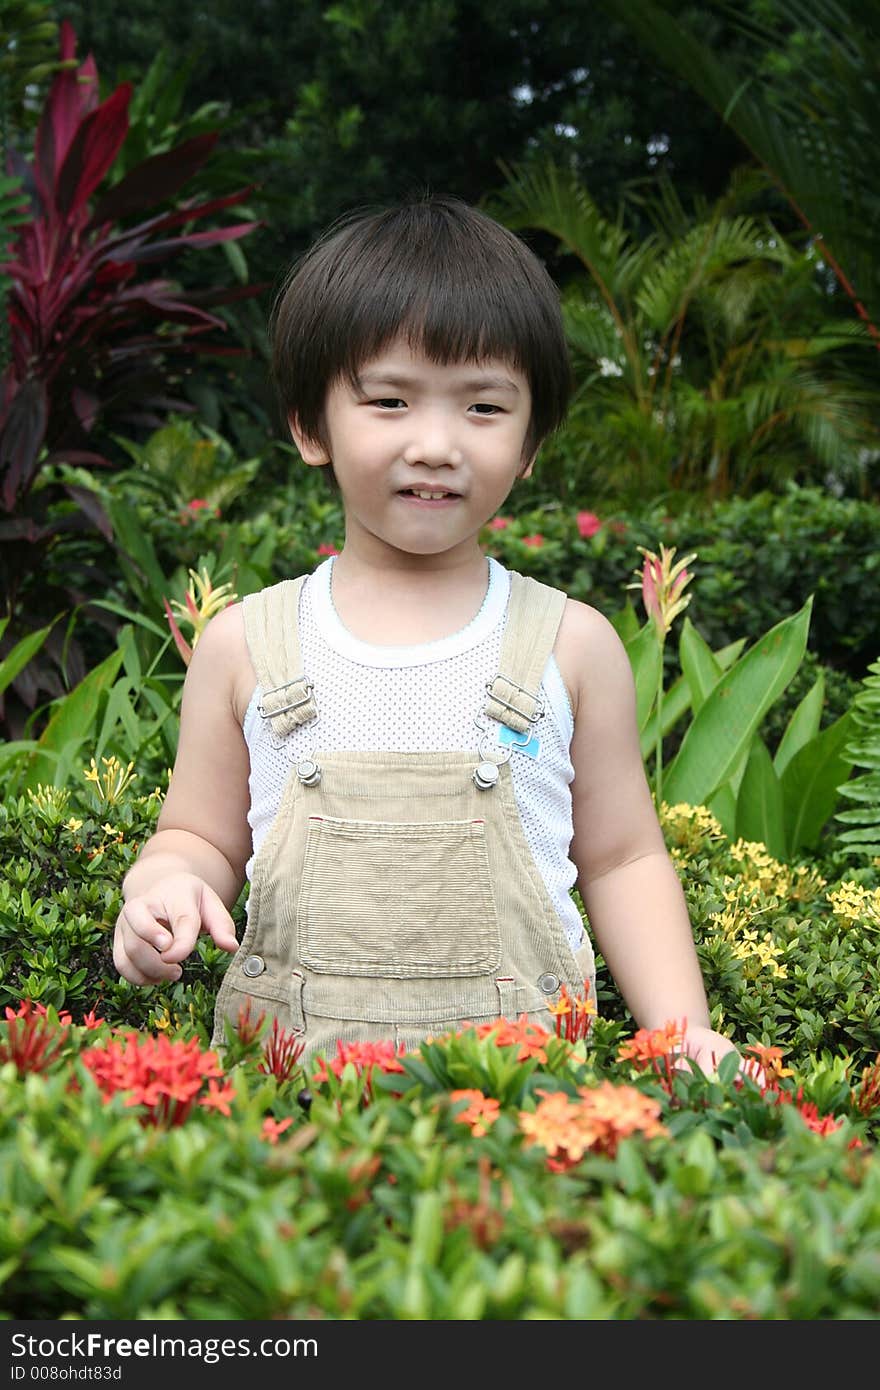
(91, 337)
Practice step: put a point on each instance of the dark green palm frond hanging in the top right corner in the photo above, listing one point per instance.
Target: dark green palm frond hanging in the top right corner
(815, 126)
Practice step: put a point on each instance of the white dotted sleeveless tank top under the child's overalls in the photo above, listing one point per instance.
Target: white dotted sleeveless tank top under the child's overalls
(422, 700)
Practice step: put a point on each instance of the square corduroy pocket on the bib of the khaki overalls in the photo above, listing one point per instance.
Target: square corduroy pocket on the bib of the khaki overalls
(397, 900)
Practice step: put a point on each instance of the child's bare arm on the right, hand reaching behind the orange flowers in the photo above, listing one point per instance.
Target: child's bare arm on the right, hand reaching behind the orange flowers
(626, 878)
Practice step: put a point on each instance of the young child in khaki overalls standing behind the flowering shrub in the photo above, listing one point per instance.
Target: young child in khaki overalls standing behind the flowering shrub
(414, 755)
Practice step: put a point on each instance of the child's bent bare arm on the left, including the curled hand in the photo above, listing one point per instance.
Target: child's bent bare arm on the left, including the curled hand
(191, 872)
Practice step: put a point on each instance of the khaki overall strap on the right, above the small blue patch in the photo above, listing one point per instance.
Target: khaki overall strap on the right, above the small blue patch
(535, 614)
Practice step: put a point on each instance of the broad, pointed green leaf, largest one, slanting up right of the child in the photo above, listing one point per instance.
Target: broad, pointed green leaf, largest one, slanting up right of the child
(722, 732)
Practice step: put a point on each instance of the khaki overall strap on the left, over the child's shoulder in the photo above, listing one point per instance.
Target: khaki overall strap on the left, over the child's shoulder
(272, 629)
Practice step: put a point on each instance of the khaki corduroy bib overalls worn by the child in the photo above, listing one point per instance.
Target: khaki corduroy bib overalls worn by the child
(396, 896)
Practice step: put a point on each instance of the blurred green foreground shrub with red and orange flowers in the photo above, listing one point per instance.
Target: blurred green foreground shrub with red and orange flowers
(587, 1186)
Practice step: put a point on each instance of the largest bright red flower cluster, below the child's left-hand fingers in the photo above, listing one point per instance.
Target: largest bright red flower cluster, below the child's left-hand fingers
(165, 1077)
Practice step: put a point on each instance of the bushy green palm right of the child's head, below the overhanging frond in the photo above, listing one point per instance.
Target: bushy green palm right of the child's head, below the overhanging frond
(704, 352)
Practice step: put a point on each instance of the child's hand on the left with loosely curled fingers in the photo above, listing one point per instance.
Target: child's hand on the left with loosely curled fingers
(159, 929)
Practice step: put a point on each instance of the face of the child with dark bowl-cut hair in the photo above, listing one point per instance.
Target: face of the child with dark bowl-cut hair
(425, 454)
